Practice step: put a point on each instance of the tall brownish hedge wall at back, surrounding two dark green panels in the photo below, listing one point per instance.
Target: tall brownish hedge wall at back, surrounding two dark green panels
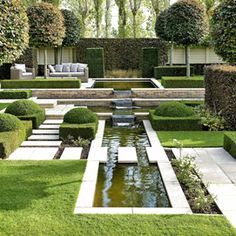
(121, 53)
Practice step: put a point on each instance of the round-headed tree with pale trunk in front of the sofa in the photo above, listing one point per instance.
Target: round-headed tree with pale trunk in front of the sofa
(46, 28)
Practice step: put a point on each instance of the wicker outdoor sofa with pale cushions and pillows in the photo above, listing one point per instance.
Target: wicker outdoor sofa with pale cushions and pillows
(77, 70)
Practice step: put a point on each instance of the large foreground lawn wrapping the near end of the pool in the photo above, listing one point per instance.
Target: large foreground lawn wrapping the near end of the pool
(38, 198)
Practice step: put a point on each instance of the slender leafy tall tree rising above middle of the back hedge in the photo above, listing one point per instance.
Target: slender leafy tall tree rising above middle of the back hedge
(122, 17)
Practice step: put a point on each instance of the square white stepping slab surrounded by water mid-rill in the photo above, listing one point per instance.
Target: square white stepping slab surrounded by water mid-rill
(127, 155)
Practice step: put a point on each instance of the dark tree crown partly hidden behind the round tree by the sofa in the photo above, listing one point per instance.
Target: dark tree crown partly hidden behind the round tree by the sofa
(72, 26)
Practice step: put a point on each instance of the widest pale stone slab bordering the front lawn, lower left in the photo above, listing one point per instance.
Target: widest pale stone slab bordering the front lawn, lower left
(34, 154)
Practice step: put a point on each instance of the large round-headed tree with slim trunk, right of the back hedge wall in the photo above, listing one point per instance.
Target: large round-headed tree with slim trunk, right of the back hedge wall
(186, 24)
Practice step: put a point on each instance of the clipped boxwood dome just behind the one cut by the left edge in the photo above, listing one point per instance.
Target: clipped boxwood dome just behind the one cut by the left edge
(23, 107)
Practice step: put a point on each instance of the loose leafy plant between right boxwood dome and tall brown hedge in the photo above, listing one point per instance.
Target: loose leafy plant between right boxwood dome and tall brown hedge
(210, 120)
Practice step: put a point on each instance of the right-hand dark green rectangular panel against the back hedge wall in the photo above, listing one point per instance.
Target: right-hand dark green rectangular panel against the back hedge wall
(150, 59)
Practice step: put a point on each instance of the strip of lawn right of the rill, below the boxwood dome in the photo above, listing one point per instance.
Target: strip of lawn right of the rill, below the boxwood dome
(192, 138)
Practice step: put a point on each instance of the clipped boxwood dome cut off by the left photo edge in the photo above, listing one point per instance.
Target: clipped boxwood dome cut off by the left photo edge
(9, 122)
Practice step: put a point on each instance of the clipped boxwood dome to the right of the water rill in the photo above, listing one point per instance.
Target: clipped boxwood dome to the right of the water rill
(174, 109)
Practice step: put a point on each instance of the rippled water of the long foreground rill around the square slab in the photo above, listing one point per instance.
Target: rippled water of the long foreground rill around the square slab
(129, 185)
